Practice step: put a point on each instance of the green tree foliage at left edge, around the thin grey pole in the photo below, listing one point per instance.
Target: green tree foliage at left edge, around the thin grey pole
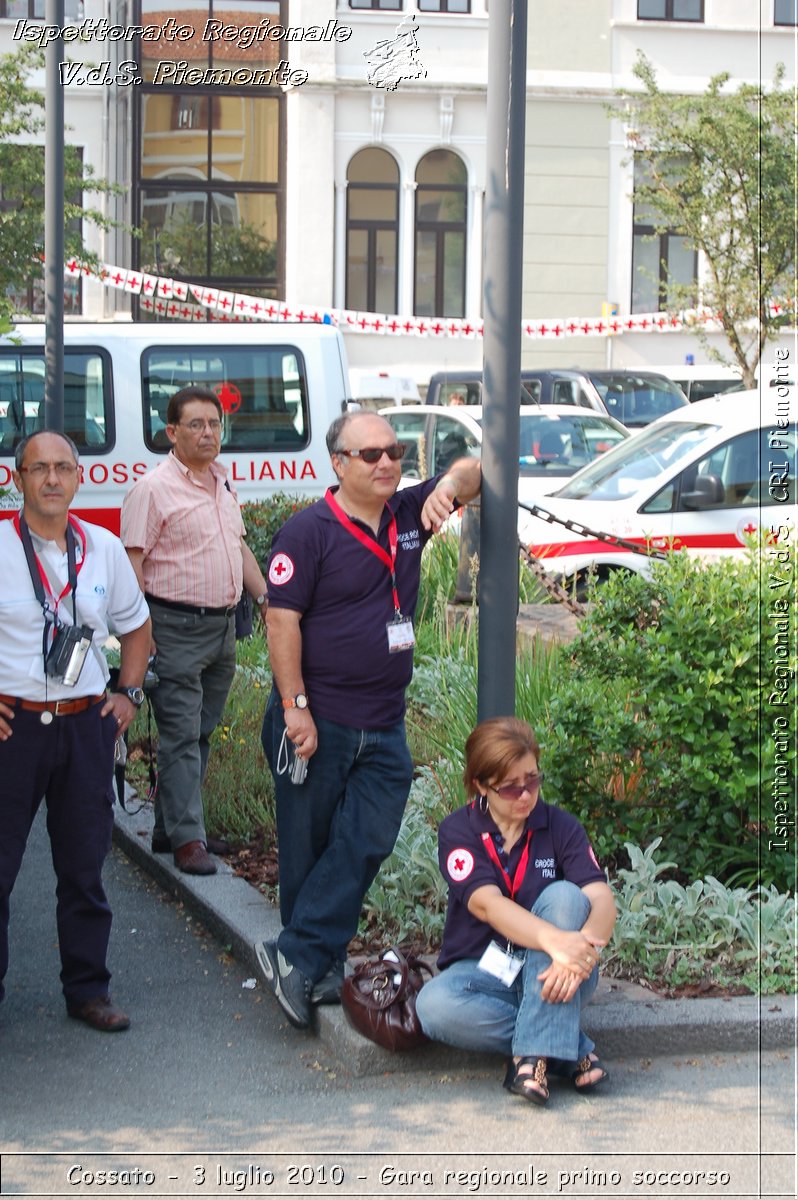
(22, 183)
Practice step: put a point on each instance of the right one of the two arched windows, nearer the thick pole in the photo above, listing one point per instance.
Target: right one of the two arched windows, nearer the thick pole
(441, 202)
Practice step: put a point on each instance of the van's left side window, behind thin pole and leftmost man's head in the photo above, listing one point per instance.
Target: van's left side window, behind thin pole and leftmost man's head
(88, 407)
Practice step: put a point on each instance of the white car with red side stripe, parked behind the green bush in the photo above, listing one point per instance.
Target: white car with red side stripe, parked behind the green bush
(705, 479)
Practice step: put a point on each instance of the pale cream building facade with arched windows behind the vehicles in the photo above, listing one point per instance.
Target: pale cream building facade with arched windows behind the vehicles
(333, 154)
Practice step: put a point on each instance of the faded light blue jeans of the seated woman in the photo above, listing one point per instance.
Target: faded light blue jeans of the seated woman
(470, 1009)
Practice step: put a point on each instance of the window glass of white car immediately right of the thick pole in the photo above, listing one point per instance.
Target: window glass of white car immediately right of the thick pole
(560, 446)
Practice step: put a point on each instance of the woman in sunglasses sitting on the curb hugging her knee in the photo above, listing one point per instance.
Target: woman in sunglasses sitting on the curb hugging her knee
(530, 911)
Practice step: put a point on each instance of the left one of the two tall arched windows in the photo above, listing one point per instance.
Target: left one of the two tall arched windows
(373, 231)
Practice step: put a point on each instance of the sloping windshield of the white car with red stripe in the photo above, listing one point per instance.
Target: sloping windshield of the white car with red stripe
(643, 458)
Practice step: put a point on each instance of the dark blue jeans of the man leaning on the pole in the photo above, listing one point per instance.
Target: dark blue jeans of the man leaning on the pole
(334, 832)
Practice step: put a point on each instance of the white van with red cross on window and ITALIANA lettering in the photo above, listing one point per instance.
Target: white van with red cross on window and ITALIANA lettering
(280, 388)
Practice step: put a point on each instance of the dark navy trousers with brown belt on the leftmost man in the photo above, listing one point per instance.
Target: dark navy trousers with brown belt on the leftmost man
(70, 764)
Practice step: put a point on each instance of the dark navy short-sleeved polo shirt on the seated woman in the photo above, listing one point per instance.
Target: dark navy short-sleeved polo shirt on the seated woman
(559, 850)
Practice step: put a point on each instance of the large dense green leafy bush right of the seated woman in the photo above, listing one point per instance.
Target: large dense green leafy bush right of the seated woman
(653, 727)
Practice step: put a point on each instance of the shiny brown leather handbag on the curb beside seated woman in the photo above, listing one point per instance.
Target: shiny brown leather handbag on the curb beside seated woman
(380, 1000)
